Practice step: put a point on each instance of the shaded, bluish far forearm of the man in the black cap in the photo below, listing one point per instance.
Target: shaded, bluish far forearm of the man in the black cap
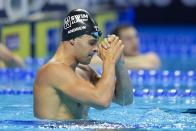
(123, 90)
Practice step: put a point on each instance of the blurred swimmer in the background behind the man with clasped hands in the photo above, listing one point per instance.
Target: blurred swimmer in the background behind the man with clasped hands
(133, 58)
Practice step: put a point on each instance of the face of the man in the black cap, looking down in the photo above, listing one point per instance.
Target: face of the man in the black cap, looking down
(85, 46)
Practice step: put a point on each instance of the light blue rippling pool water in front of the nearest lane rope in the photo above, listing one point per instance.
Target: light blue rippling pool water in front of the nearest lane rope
(16, 112)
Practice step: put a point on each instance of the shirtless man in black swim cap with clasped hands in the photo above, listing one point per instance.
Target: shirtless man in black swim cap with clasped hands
(66, 86)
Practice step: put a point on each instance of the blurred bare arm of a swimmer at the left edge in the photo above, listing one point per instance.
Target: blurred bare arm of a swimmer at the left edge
(8, 59)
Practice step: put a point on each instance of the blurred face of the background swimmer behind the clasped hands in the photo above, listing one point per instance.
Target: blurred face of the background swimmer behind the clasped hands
(130, 39)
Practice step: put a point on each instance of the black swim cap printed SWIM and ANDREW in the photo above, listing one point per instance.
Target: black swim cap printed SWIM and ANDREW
(77, 23)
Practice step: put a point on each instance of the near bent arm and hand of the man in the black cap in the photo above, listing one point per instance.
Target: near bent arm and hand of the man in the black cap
(99, 95)
